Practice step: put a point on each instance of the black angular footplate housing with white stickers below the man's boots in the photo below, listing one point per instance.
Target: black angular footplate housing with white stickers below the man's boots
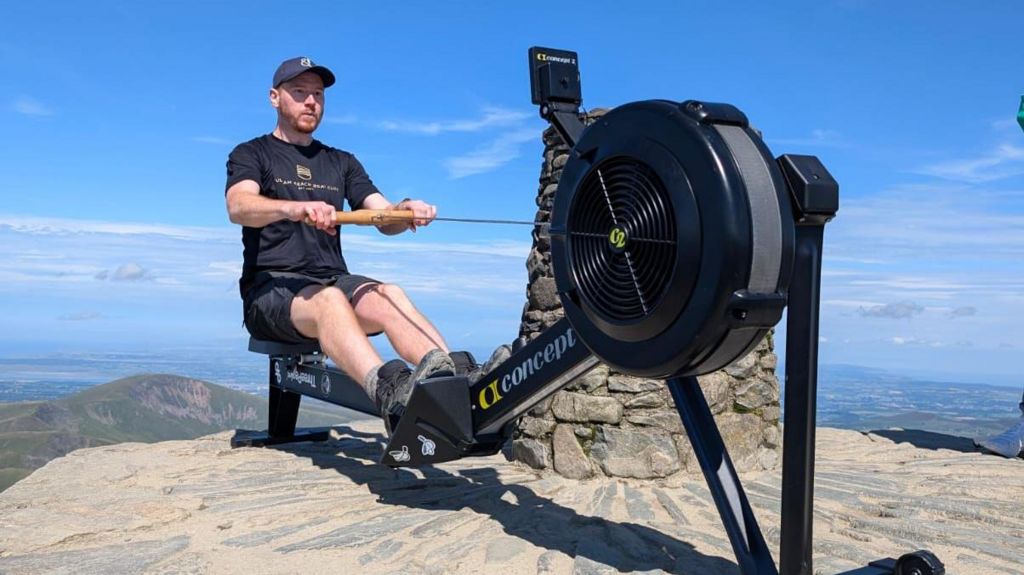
(436, 426)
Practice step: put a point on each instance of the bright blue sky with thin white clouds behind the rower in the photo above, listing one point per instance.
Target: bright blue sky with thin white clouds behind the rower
(119, 118)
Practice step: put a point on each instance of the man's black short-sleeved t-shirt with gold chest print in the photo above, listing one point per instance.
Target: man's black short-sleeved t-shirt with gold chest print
(286, 171)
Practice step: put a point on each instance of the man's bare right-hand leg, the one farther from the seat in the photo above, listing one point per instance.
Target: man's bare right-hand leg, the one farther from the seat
(385, 307)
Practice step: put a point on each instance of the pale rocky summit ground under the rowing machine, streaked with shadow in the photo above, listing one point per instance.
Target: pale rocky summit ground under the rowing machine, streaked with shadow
(200, 507)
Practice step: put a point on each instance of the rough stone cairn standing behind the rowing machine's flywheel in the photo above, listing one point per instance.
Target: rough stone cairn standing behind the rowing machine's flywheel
(610, 424)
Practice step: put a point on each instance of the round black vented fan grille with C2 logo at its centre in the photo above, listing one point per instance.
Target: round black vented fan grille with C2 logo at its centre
(622, 240)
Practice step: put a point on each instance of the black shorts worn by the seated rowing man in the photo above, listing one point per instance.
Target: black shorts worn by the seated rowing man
(268, 306)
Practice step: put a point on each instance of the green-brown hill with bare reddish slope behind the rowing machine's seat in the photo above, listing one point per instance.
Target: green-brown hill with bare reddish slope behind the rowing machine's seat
(141, 409)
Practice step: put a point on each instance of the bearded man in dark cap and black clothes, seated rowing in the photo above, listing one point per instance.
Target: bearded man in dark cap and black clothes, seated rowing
(285, 189)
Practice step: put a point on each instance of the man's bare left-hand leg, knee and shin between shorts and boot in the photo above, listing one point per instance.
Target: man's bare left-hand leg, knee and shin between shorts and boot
(325, 315)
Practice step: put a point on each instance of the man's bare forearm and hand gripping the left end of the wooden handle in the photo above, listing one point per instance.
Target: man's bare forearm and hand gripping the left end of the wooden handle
(247, 207)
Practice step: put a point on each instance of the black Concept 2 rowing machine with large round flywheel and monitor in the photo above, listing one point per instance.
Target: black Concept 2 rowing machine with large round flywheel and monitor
(677, 241)
